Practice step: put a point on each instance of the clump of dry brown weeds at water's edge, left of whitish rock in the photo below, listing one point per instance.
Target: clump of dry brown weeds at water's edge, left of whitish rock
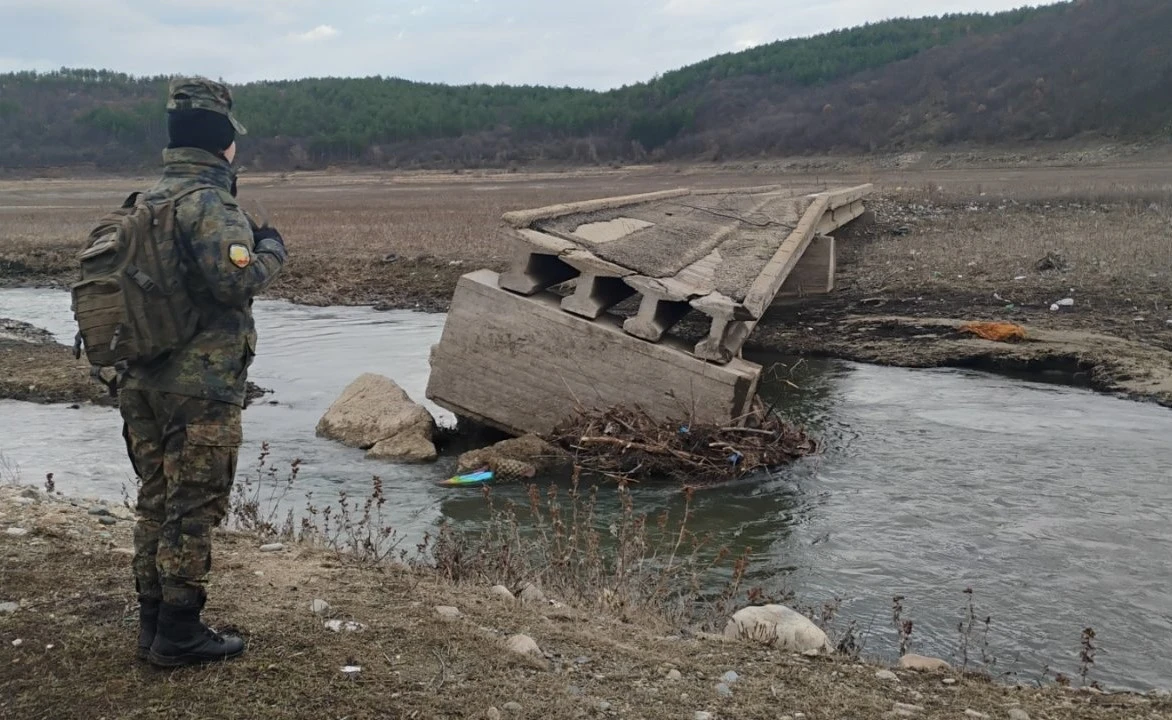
(631, 565)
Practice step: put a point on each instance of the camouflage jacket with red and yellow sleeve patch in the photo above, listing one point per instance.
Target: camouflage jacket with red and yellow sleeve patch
(215, 365)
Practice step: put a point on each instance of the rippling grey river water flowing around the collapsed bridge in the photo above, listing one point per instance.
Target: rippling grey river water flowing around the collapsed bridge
(1054, 505)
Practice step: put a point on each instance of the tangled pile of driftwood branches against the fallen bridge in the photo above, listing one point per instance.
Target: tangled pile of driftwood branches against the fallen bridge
(628, 444)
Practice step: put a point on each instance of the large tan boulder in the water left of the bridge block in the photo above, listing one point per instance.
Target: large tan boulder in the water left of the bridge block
(377, 416)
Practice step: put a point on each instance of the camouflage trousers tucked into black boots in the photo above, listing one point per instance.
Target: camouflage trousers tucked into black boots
(185, 452)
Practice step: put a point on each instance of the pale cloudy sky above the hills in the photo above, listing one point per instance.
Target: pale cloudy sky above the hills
(594, 44)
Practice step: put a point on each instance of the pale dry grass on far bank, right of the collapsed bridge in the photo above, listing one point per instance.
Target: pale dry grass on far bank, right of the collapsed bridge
(945, 243)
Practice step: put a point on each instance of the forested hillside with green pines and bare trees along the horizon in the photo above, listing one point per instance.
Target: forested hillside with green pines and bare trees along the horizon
(1055, 72)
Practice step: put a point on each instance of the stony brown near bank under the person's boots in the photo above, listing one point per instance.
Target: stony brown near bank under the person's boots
(428, 647)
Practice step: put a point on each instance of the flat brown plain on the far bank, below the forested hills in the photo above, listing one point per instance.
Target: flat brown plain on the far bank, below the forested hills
(948, 240)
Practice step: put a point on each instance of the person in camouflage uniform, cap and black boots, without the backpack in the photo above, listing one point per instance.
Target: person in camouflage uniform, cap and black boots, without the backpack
(182, 413)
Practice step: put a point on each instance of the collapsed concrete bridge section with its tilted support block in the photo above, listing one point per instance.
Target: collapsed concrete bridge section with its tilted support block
(520, 357)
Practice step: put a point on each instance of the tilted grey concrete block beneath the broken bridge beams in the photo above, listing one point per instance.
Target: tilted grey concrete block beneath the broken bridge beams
(523, 365)
